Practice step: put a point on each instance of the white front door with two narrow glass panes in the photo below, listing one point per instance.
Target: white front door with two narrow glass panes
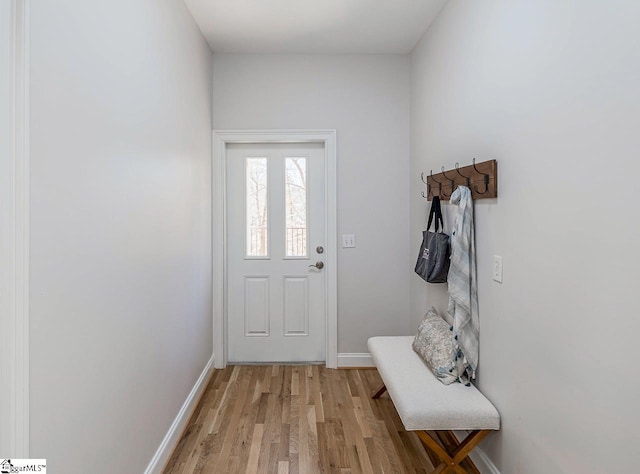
(275, 234)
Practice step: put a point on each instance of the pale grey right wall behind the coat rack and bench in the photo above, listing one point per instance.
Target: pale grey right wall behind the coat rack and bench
(550, 90)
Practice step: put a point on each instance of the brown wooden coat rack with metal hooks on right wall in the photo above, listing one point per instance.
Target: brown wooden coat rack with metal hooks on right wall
(481, 178)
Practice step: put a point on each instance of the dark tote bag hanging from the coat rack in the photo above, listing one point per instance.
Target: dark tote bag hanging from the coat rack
(434, 256)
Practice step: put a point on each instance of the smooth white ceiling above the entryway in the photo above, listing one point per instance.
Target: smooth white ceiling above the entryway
(313, 26)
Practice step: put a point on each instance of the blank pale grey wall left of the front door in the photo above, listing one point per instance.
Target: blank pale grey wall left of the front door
(120, 228)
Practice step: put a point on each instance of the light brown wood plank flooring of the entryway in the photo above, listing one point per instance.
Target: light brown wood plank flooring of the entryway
(296, 419)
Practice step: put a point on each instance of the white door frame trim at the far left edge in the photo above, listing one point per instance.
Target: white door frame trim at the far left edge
(14, 228)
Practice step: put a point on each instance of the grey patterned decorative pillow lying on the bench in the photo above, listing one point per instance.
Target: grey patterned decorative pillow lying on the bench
(435, 344)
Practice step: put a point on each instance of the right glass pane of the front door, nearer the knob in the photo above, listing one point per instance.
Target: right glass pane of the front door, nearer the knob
(296, 206)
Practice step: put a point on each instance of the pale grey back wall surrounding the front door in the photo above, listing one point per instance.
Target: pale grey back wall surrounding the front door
(366, 98)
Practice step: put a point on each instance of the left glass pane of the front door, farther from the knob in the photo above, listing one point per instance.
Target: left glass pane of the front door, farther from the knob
(257, 212)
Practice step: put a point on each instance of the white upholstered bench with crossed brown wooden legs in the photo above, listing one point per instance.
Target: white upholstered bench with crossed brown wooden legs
(425, 404)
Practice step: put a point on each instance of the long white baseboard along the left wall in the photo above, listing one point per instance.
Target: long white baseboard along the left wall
(172, 437)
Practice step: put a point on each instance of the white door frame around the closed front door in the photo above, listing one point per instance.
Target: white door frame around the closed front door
(221, 138)
